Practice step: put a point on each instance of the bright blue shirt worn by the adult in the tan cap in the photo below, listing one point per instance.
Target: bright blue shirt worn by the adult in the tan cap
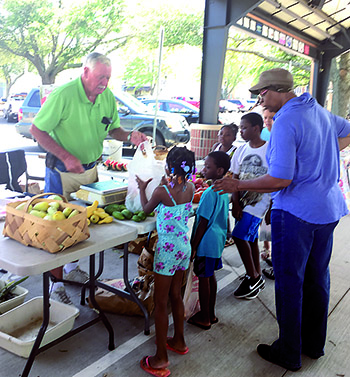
(301, 126)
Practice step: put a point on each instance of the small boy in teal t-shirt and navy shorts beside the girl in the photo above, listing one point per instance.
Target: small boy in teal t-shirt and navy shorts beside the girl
(208, 239)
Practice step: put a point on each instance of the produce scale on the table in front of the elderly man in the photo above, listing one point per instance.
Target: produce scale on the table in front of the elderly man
(105, 192)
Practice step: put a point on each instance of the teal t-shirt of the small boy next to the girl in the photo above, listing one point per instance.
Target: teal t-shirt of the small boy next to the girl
(213, 207)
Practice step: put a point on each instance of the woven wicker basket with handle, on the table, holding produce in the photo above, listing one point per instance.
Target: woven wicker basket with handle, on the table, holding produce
(52, 236)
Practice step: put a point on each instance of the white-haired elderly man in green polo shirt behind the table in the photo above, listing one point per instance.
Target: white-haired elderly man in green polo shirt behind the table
(71, 126)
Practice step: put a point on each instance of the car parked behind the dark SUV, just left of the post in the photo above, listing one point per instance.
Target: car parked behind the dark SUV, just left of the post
(175, 106)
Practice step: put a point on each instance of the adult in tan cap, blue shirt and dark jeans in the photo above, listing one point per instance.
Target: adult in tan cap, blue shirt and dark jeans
(303, 175)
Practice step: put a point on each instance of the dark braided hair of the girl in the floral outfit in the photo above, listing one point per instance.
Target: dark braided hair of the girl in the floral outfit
(181, 161)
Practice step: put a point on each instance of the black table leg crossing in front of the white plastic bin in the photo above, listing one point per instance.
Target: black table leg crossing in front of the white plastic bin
(46, 318)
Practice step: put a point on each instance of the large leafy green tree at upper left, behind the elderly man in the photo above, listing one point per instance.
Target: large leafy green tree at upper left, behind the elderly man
(53, 35)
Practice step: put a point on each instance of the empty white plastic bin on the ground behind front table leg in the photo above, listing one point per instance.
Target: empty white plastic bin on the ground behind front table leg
(20, 326)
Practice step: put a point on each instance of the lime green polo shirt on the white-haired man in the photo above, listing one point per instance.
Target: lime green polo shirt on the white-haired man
(75, 123)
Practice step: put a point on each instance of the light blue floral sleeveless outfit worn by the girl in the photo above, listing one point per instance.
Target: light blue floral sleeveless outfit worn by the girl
(173, 249)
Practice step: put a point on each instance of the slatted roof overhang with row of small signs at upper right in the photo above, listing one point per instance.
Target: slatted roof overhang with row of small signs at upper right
(316, 25)
